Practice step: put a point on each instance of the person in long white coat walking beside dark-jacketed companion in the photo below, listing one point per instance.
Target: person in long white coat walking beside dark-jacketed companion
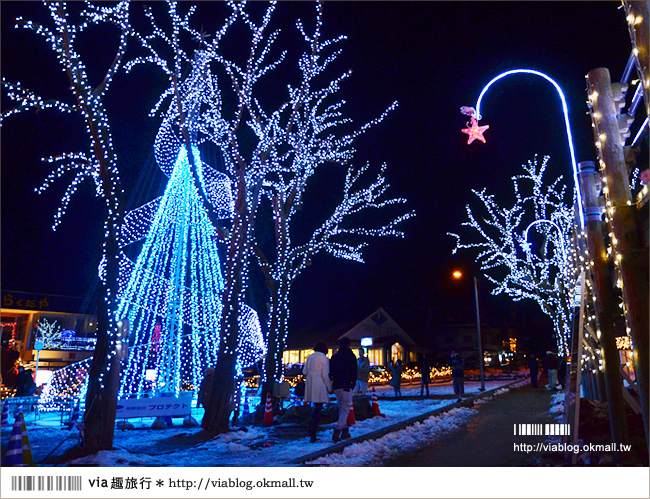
(317, 385)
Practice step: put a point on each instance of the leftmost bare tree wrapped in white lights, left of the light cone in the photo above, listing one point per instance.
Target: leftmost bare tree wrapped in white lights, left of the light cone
(97, 163)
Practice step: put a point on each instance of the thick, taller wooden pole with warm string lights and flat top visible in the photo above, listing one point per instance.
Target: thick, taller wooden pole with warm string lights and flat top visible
(627, 251)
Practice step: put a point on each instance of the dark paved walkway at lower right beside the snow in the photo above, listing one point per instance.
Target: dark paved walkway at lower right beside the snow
(488, 439)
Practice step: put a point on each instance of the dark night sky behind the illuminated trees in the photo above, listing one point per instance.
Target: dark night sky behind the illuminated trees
(433, 57)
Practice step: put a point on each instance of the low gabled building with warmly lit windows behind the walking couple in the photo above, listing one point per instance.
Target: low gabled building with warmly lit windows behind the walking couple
(383, 339)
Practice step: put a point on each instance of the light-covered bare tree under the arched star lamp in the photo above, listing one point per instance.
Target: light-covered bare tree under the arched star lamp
(507, 257)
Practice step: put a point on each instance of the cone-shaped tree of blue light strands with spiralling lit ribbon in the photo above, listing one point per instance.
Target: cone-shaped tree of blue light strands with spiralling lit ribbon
(171, 295)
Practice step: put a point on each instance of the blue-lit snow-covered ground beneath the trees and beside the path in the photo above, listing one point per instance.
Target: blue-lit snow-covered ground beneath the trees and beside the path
(263, 446)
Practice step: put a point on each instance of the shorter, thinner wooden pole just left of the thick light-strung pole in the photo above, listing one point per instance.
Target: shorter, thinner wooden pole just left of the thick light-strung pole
(606, 304)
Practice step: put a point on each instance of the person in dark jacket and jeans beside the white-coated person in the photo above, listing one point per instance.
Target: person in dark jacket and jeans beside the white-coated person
(343, 371)
